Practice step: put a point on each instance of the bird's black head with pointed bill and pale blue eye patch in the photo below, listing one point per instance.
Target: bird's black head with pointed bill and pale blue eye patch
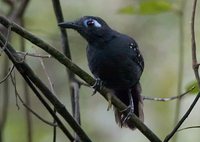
(93, 29)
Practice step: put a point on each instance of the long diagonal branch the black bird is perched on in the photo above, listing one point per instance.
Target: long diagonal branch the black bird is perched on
(82, 74)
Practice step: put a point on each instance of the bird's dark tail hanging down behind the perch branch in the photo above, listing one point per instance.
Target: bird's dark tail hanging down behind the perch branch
(138, 105)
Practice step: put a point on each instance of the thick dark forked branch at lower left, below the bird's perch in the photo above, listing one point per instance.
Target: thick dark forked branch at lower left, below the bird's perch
(31, 78)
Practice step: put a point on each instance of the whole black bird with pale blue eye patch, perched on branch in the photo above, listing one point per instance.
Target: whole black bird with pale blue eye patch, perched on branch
(115, 60)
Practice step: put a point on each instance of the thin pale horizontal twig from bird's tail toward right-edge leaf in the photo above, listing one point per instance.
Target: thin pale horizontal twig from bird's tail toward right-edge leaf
(168, 99)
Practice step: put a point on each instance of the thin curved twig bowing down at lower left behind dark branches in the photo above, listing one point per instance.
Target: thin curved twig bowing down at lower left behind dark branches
(13, 80)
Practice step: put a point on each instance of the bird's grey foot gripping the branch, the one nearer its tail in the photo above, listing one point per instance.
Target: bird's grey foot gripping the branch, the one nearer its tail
(127, 113)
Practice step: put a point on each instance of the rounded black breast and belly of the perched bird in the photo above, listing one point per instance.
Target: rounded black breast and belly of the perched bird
(113, 67)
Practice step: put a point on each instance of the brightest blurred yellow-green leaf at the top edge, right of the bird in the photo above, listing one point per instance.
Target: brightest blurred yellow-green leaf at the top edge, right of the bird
(154, 7)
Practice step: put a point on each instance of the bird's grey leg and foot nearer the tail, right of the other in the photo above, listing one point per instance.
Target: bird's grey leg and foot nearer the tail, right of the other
(129, 109)
